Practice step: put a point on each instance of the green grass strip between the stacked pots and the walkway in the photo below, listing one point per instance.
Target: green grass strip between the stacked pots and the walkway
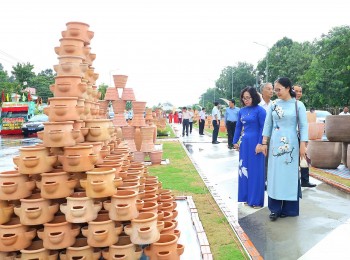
(183, 179)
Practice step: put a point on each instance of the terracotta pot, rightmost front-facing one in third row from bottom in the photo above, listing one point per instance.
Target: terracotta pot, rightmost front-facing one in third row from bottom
(123, 205)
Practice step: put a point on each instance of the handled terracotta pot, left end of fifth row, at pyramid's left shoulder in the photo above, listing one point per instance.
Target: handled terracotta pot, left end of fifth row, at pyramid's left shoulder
(34, 160)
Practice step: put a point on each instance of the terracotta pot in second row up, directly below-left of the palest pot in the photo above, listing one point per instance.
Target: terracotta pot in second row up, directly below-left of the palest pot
(58, 233)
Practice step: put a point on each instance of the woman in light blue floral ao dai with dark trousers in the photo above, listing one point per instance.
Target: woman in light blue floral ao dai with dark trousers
(285, 149)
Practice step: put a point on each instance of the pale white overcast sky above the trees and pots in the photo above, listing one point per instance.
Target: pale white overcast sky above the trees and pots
(171, 50)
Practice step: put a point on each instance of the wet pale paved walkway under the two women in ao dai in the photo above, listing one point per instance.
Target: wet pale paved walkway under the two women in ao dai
(322, 230)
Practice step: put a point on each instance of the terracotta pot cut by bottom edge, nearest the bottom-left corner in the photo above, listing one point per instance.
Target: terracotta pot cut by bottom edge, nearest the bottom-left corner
(37, 251)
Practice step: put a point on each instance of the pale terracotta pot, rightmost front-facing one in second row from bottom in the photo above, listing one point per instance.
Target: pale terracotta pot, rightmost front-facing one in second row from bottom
(145, 229)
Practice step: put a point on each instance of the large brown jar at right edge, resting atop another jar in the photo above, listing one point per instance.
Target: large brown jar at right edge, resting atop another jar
(337, 128)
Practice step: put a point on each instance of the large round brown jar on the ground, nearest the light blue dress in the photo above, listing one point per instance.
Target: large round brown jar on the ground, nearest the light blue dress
(325, 154)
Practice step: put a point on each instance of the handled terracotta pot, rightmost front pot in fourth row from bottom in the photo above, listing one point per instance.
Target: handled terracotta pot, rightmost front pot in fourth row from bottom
(101, 182)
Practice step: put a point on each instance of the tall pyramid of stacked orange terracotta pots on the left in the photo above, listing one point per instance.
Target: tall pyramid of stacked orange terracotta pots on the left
(80, 194)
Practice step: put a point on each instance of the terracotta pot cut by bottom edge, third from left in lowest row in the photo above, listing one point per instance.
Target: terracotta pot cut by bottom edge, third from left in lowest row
(123, 249)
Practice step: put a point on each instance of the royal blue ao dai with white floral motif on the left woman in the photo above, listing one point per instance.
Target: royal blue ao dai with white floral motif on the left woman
(251, 180)
